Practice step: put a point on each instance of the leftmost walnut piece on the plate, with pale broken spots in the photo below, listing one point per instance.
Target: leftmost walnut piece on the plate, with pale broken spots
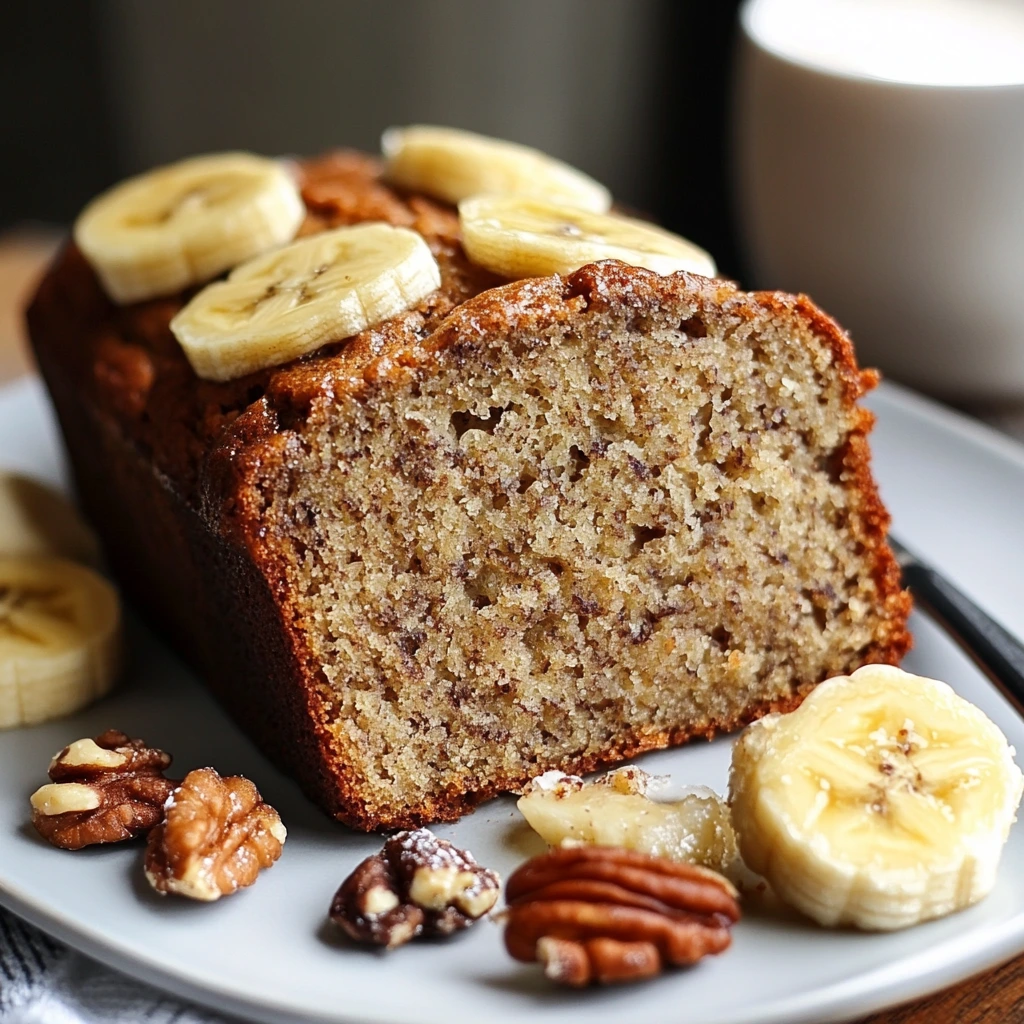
(102, 791)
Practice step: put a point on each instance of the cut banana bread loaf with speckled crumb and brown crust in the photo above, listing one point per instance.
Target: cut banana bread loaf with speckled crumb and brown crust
(543, 525)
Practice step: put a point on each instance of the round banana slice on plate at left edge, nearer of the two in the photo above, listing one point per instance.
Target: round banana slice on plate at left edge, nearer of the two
(60, 638)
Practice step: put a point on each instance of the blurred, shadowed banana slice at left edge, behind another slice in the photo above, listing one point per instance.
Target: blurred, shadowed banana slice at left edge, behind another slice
(36, 521)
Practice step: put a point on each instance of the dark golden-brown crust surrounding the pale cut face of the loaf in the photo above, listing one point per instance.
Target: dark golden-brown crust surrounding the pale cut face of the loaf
(173, 468)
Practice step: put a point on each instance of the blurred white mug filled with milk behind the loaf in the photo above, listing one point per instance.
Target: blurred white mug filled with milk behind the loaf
(888, 185)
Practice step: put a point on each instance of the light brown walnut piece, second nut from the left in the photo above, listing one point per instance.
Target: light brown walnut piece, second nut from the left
(217, 837)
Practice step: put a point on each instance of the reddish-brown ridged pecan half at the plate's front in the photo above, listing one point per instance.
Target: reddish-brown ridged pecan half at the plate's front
(607, 915)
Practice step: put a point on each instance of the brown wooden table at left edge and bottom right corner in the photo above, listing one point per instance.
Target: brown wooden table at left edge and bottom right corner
(995, 998)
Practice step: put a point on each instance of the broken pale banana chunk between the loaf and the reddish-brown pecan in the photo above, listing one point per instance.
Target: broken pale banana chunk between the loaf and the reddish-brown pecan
(618, 810)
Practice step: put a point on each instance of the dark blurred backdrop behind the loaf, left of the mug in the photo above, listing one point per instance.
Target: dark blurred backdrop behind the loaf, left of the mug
(632, 92)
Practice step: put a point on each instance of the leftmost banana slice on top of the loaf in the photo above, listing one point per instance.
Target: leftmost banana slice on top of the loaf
(184, 225)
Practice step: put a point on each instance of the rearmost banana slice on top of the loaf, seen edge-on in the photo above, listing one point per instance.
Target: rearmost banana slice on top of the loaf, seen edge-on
(454, 165)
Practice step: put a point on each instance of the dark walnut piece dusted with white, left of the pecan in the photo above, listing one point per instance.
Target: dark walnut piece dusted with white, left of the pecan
(417, 885)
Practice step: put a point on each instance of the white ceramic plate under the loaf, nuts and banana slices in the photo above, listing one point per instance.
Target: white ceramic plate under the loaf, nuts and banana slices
(956, 491)
